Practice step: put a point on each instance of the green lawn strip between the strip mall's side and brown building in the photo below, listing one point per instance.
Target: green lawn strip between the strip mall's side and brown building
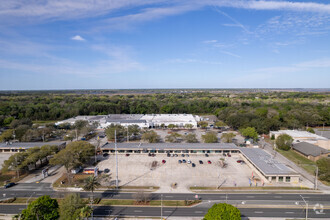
(301, 161)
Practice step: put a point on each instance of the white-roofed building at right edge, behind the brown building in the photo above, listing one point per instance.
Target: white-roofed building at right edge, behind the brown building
(304, 136)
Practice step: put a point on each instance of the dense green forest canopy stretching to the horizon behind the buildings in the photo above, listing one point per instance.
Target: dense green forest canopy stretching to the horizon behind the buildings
(263, 110)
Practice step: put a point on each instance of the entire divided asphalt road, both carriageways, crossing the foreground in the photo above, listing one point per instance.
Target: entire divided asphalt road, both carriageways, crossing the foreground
(292, 209)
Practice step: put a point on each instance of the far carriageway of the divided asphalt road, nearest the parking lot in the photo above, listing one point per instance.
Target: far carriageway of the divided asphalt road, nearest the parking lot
(36, 190)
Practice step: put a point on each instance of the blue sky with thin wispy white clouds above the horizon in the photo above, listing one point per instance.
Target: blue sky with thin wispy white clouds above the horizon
(136, 44)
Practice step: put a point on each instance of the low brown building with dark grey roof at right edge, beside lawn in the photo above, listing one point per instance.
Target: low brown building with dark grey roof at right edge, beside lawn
(310, 151)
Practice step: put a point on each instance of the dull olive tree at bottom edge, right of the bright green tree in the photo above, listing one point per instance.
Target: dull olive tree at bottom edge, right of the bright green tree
(72, 207)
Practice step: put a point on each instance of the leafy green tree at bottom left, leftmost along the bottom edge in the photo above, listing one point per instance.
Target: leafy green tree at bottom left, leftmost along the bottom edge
(43, 208)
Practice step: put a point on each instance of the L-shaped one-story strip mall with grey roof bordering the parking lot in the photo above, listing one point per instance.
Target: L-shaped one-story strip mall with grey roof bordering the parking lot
(257, 159)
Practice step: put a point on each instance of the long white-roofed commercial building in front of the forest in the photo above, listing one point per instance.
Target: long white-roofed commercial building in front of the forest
(143, 121)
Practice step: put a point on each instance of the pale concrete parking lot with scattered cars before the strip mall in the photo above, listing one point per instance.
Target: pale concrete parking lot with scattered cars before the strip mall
(136, 170)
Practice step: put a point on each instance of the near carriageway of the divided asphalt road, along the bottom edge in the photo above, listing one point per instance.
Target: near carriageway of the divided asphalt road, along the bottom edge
(167, 212)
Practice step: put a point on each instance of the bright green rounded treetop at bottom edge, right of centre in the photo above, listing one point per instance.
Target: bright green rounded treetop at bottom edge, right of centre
(223, 211)
